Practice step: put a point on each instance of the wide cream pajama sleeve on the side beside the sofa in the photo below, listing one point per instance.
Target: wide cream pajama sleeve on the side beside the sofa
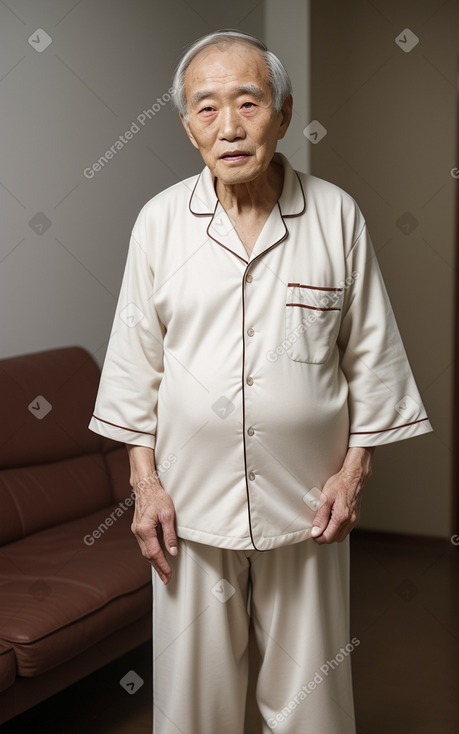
(125, 408)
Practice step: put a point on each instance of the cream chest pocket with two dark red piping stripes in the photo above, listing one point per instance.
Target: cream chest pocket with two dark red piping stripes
(312, 320)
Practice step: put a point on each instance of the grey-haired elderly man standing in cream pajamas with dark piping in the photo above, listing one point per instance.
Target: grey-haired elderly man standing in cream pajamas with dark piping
(253, 366)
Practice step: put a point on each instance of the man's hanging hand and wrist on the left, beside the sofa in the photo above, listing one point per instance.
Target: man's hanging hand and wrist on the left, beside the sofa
(154, 513)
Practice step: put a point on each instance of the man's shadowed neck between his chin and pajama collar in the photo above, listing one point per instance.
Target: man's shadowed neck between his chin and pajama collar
(258, 195)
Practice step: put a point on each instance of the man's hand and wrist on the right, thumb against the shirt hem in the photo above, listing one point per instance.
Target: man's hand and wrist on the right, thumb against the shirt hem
(341, 497)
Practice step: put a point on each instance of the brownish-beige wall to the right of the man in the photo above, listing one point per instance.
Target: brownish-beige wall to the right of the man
(390, 120)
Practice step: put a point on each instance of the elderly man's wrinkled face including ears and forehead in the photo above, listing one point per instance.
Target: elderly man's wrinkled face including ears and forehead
(232, 120)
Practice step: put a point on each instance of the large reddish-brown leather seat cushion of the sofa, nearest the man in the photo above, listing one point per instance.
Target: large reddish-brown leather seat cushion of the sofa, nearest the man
(67, 587)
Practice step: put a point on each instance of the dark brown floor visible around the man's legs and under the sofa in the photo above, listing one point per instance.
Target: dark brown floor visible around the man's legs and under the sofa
(404, 611)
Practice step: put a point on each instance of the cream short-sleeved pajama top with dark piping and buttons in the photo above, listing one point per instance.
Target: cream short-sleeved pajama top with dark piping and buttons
(251, 376)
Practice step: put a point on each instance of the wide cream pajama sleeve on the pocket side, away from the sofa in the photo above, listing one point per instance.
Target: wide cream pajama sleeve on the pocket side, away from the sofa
(384, 401)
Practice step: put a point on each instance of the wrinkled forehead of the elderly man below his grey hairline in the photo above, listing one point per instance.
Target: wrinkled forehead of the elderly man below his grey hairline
(227, 59)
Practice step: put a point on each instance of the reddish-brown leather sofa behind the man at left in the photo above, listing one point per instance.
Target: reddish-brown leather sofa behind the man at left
(75, 591)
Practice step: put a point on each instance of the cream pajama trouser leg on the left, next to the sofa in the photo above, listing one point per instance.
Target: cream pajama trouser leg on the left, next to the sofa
(200, 642)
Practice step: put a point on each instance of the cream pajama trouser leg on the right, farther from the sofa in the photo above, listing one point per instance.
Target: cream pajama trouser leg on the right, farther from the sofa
(300, 609)
